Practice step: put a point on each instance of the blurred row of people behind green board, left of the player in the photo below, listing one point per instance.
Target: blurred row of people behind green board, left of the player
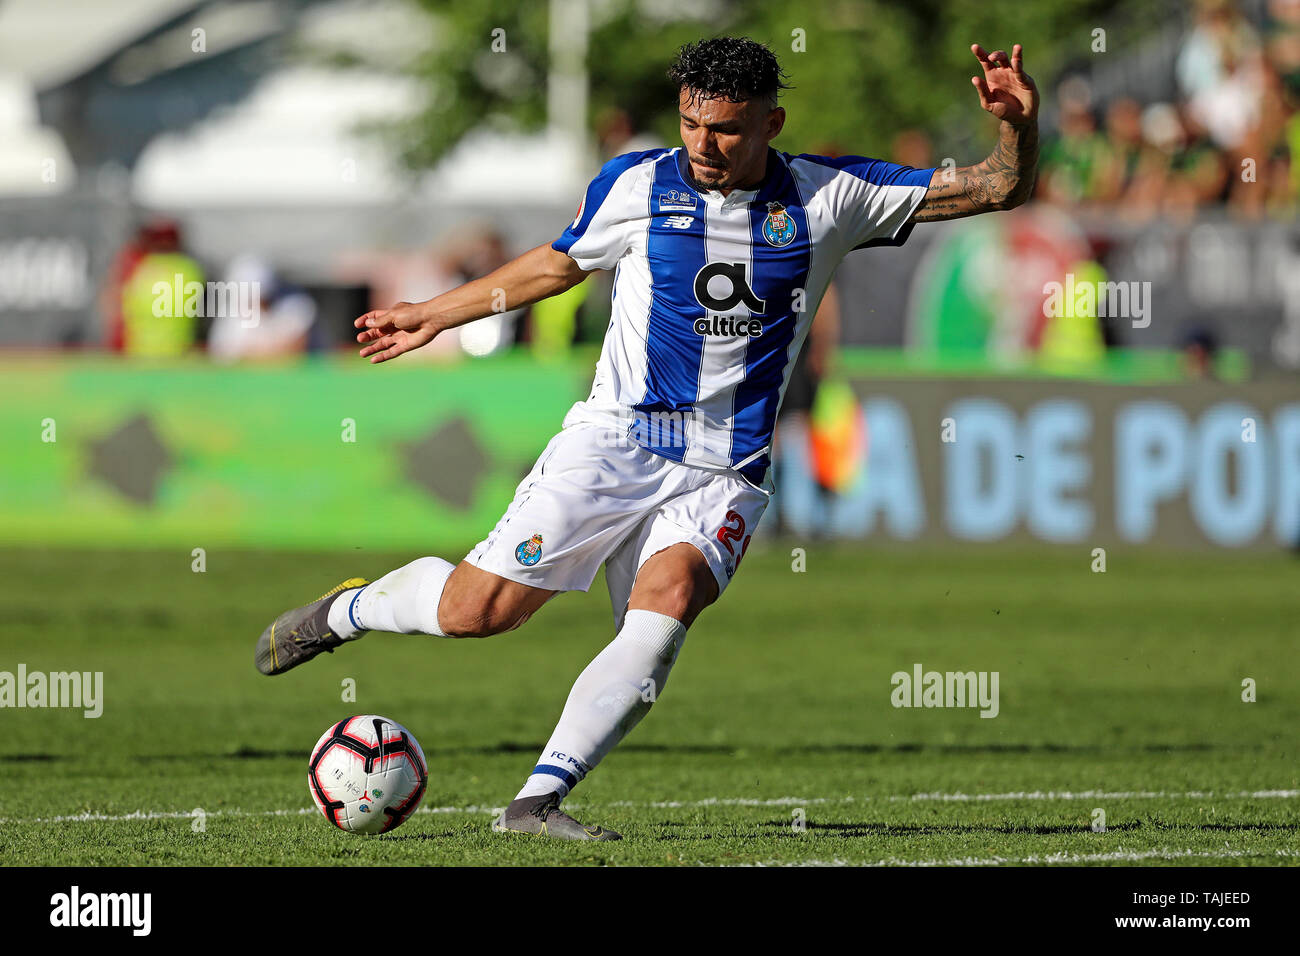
(161, 301)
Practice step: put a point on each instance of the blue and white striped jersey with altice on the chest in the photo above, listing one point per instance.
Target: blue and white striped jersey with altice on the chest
(713, 296)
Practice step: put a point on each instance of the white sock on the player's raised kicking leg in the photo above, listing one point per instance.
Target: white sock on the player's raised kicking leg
(402, 602)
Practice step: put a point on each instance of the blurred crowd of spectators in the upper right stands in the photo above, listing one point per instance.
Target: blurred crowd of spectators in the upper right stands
(1228, 140)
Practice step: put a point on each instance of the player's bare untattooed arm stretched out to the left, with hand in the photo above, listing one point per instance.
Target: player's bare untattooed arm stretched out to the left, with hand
(536, 275)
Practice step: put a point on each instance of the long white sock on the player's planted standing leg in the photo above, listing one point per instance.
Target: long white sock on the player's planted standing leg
(609, 699)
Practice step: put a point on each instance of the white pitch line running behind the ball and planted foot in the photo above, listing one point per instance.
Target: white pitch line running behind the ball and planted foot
(1038, 795)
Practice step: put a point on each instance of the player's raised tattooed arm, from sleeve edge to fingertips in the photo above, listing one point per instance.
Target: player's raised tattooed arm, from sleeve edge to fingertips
(1007, 178)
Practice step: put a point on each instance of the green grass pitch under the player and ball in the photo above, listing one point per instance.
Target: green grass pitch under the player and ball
(1119, 691)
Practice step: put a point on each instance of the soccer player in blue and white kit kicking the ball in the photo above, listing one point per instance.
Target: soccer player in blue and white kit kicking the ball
(722, 249)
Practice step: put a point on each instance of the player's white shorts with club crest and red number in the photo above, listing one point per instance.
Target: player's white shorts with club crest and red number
(597, 498)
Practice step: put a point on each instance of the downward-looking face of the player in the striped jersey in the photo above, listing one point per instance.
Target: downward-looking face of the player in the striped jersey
(727, 142)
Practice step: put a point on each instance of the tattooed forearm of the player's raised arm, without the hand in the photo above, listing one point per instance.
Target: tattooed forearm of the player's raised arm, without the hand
(1003, 181)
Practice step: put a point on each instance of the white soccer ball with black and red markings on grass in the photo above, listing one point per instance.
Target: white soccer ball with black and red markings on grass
(367, 775)
